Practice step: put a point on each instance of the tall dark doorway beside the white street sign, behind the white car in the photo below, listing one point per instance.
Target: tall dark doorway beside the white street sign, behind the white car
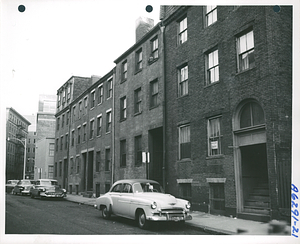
(156, 154)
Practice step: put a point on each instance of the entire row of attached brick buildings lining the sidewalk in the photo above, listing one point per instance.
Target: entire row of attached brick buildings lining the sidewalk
(202, 103)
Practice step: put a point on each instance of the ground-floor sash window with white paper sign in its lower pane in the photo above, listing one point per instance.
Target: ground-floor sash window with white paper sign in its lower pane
(214, 136)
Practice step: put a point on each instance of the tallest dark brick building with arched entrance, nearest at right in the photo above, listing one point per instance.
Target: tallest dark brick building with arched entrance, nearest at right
(229, 108)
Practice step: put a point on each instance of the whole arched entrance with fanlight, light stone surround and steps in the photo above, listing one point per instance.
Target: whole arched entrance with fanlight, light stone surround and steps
(250, 160)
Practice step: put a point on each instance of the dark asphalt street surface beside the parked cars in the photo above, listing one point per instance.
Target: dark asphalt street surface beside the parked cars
(24, 215)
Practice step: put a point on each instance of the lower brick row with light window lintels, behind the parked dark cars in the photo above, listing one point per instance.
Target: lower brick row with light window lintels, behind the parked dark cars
(82, 162)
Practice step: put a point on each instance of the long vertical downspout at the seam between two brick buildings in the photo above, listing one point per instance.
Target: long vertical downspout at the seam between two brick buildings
(162, 28)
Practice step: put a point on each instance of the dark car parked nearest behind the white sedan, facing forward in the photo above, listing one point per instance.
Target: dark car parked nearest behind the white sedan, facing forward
(47, 188)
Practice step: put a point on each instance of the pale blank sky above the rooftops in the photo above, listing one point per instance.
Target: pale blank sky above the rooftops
(52, 40)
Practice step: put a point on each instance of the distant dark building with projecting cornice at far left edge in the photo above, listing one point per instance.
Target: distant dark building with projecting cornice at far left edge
(16, 143)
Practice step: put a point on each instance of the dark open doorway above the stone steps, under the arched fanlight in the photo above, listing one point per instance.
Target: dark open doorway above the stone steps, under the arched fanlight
(254, 167)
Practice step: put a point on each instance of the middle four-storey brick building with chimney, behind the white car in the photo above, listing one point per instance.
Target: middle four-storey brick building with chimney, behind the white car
(138, 100)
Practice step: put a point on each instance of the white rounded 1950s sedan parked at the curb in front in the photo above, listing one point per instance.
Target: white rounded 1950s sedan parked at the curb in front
(144, 201)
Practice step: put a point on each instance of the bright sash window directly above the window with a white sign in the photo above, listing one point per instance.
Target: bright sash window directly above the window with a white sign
(212, 67)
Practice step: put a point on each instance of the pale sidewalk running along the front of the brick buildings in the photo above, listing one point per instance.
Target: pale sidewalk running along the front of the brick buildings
(209, 223)
